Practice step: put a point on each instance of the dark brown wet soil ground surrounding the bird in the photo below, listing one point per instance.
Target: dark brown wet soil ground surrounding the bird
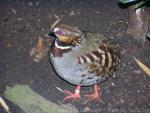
(22, 22)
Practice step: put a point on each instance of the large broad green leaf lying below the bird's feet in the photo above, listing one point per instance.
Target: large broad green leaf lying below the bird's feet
(31, 102)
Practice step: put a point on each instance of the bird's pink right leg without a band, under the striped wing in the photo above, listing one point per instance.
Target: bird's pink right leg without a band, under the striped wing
(95, 95)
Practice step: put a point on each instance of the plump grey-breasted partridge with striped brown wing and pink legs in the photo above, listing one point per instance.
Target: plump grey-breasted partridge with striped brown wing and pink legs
(83, 59)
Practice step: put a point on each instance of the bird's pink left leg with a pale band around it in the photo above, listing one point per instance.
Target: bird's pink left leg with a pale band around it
(72, 96)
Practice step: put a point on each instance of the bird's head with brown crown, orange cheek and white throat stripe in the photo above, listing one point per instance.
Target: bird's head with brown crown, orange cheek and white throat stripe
(67, 37)
